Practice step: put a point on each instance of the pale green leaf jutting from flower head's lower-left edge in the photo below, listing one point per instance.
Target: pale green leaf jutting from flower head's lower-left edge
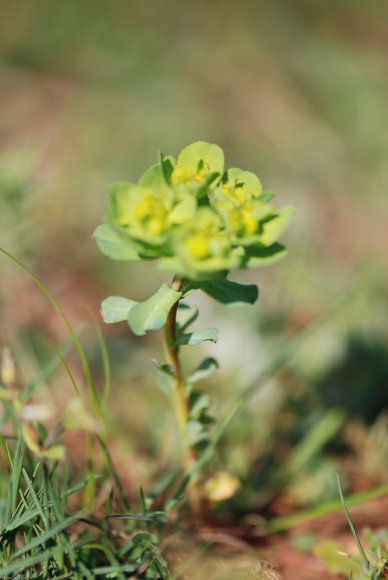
(115, 243)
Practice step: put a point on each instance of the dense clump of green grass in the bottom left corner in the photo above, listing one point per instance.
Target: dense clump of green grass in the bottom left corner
(38, 537)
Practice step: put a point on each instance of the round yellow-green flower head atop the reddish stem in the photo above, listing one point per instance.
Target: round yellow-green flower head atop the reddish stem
(197, 218)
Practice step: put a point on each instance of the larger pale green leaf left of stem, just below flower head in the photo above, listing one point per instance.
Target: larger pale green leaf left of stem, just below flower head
(152, 313)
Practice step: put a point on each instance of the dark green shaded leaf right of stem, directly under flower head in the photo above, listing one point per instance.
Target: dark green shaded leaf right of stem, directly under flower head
(230, 293)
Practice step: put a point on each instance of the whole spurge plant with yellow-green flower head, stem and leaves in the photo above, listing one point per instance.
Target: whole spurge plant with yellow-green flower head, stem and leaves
(200, 222)
